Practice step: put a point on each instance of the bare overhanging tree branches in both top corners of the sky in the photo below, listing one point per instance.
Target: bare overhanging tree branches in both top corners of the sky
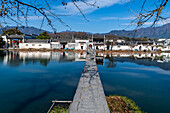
(21, 8)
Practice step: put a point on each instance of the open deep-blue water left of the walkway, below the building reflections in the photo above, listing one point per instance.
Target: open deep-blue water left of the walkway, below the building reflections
(31, 87)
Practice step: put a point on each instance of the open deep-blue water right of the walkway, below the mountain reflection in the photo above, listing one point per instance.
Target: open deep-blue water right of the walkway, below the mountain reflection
(149, 86)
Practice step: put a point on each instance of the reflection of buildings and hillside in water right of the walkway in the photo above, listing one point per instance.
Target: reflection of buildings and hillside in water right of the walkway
(161, 60)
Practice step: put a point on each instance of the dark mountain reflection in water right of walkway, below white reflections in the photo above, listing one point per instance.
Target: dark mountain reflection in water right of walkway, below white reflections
(146, 62)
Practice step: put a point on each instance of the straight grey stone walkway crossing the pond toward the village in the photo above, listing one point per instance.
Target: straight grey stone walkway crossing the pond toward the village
(89, 96)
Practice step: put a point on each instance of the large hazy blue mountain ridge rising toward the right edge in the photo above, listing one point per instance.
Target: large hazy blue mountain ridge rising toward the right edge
(150, 32)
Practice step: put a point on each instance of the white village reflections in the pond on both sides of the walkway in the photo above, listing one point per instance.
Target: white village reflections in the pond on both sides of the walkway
(15, 59)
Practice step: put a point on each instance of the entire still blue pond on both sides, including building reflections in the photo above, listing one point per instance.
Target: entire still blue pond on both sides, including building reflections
(29, 81)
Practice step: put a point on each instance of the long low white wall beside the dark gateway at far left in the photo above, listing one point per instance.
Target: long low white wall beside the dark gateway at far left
(34, 46)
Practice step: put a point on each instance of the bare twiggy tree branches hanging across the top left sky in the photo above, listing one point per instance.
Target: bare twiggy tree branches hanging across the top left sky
(22, 9)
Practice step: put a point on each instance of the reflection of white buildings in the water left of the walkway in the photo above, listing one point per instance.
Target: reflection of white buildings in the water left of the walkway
(15, 59)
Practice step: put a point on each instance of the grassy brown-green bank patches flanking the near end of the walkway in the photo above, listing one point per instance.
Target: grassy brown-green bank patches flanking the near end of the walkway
(117, 104)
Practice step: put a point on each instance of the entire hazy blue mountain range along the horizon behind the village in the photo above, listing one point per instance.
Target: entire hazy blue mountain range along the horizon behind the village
(150, 32)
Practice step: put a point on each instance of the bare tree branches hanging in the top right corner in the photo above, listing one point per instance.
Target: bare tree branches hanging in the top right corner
(144, 15)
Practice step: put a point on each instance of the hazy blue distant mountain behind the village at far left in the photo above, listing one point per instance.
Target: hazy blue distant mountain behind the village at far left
(25, 30)
